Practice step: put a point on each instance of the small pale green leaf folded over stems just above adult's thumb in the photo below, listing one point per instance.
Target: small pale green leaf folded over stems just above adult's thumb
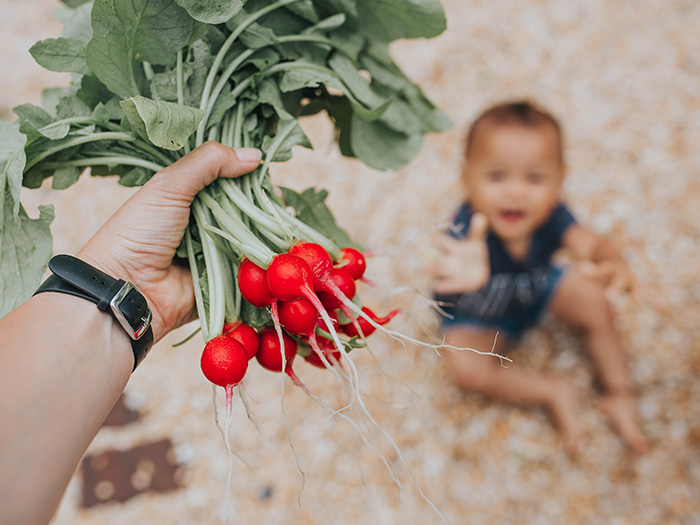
(165, 124)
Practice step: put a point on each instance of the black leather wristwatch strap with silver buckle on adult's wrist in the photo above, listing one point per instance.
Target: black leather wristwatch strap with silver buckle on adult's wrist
(128, 306)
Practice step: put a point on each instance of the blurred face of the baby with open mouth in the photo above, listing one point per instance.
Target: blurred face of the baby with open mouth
(514, 176)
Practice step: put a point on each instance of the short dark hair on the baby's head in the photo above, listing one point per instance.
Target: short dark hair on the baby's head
(520, 112)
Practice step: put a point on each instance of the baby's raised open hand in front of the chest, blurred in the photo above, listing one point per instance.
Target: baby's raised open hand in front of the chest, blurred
(463, 265)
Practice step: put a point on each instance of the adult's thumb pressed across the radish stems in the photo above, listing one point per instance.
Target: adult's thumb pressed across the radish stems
(199, 168)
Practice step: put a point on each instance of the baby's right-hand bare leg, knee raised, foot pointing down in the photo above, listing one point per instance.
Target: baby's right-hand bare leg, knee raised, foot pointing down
(580, 301)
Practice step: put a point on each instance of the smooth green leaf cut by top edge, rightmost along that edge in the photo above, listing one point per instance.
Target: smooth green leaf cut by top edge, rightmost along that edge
(388, 20)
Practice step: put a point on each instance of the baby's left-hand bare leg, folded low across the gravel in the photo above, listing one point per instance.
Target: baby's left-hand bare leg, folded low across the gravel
(484, 374)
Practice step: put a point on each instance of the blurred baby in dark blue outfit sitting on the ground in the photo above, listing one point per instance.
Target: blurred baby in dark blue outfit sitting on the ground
(496, 274)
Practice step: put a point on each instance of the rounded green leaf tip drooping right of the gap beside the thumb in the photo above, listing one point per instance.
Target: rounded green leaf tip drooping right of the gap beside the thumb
(380, 147)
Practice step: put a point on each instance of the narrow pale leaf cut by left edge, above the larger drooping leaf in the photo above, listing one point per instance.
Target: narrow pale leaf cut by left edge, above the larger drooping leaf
(12, 162)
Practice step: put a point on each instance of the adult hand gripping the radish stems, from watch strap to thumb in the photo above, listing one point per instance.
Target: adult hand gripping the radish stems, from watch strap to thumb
(138, 242)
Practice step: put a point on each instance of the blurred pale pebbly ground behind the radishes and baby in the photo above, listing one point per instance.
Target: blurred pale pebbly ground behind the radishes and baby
(624, 79)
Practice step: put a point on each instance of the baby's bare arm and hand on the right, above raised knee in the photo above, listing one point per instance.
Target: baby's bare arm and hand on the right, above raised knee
(609, 265)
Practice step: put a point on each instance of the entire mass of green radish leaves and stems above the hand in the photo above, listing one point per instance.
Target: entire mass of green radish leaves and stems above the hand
(154, 78)
